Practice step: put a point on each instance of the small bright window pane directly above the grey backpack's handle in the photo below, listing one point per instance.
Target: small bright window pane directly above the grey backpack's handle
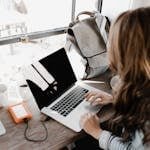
(85, 5)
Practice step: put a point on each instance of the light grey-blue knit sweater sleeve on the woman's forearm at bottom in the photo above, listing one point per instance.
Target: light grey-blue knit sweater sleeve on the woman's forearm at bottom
(107, 141)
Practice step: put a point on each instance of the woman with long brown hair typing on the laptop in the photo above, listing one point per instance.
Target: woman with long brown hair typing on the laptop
(129, 55)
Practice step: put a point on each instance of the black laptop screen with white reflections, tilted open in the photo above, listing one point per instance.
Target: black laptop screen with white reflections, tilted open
(49, 77)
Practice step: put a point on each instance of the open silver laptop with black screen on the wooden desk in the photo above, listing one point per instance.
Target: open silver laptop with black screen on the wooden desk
(56, 90)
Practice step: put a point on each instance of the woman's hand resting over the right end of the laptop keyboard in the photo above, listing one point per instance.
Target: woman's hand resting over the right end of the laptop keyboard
(98, 98)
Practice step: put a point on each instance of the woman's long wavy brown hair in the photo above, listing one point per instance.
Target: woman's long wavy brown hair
(129, 55)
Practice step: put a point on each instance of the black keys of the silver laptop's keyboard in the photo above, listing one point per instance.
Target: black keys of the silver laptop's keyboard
(70, 101)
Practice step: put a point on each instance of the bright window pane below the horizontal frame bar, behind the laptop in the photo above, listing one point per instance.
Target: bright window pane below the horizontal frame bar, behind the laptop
(13, 56)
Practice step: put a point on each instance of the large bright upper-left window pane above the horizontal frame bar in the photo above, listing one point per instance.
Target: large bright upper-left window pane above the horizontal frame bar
(20, 16)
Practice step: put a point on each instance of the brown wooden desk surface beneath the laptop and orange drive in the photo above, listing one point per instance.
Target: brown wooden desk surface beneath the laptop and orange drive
(58, 135)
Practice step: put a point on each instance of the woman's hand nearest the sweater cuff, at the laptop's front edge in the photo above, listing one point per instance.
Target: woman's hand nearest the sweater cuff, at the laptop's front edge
(90, 124)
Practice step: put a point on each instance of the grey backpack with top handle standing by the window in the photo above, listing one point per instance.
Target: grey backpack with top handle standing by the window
(89, 37)
